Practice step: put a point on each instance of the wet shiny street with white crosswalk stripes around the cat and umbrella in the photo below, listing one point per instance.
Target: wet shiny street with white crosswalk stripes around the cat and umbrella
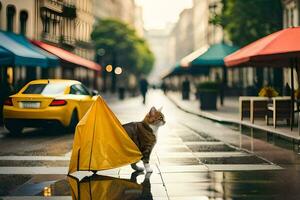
(193, 159)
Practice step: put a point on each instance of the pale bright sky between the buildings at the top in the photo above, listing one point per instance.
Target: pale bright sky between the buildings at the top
(158, 13)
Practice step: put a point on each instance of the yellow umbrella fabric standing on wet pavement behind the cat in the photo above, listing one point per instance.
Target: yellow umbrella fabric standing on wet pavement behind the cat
(100, 141)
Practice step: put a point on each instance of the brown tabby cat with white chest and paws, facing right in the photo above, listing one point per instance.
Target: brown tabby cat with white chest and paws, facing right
(144, 135)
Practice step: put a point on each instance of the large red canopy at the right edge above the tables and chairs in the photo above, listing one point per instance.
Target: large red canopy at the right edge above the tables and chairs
(273, 50)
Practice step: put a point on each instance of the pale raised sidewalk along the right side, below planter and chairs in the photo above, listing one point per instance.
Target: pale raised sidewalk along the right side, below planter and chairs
(229, 113)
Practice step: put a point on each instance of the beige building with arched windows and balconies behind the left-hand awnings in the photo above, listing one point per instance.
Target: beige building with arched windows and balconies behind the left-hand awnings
(63, 23)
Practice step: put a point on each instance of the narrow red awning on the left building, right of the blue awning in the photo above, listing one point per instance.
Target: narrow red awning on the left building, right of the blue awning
(67, 56)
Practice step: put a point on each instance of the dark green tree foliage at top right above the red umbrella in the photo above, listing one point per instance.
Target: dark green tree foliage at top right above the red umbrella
(248, 20)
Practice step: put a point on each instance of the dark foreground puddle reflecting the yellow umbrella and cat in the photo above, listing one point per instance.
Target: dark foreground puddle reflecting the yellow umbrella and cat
(93, 187)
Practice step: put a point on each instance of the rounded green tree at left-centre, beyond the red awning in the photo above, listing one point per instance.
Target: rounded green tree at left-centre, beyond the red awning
(122, 47)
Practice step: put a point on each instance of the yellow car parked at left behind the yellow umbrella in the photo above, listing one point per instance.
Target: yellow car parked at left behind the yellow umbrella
(47, 103)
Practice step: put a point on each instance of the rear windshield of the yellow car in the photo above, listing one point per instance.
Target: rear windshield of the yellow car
(46, 89)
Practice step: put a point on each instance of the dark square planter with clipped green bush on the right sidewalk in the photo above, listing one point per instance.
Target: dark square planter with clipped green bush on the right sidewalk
(208, 93)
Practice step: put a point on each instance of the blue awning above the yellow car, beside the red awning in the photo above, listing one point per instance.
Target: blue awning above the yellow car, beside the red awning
(24, 53)
